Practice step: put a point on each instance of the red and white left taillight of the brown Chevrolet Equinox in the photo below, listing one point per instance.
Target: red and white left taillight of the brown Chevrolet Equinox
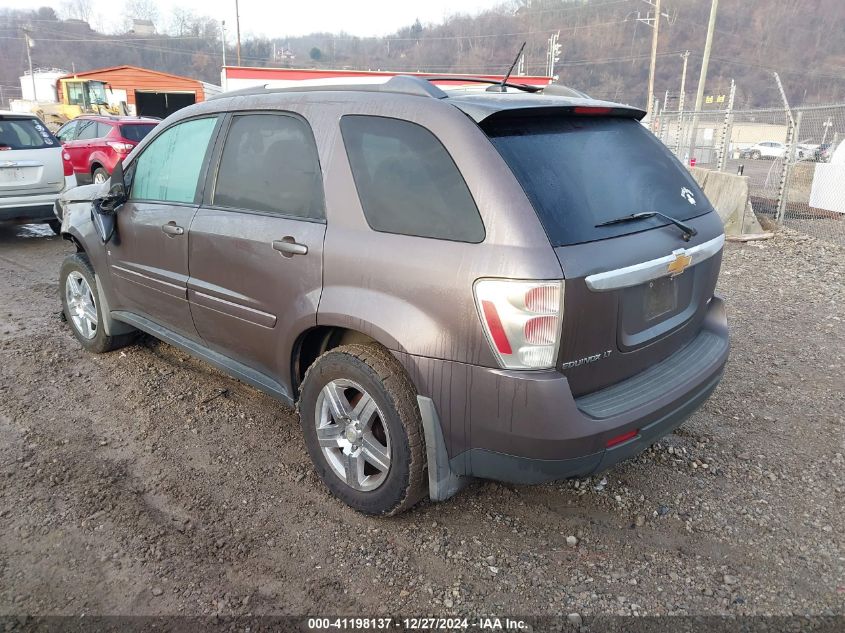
(521, 320)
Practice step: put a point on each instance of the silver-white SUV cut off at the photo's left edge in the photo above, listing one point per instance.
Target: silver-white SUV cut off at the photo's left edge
(34, 170)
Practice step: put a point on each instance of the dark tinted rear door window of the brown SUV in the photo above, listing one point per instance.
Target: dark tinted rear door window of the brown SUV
(269, 163)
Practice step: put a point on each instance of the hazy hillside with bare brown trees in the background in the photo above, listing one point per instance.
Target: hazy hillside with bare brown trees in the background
(604, 51)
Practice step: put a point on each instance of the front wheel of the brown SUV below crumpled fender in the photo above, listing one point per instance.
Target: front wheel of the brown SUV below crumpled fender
(78, 292)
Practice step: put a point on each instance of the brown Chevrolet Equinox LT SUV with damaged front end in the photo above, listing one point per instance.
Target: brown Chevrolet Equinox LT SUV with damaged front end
(448, 285)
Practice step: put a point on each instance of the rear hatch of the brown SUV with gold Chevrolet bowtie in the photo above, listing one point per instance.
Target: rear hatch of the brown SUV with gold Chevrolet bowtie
(636, 291)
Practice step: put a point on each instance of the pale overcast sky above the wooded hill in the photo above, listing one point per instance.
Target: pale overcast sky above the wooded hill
(277, 19)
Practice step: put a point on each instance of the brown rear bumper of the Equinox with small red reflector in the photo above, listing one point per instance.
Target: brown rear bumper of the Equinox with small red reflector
(525, 427)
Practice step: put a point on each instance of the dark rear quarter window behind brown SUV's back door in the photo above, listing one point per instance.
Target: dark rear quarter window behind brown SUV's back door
(407, 182)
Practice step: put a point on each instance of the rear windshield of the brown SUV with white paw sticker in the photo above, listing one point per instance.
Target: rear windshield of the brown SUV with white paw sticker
(580, 172)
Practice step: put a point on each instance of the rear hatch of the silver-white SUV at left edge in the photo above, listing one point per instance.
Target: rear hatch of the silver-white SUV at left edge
(30, 158)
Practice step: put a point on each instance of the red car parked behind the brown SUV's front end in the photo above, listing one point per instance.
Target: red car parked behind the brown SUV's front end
(96, 142)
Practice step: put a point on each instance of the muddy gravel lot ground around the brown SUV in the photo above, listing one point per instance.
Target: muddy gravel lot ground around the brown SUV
(145, 482)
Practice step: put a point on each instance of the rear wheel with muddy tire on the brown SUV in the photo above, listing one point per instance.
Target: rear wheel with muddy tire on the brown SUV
(391, 419)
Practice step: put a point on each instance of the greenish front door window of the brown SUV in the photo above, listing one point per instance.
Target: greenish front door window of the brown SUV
(169, 168)
